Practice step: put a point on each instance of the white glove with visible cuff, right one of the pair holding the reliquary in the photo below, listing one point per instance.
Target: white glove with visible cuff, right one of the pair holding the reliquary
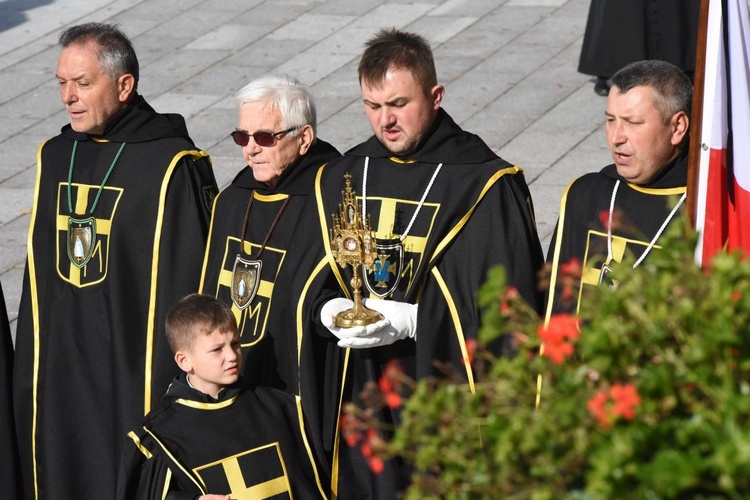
(400, 322)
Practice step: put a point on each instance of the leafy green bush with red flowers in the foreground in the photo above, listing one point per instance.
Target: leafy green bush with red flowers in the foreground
(645, 395)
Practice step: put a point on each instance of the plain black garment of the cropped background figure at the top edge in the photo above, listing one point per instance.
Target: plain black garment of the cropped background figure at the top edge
(619, 32)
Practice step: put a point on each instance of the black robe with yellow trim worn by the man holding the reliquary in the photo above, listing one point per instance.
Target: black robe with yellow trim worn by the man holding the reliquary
(478, 214)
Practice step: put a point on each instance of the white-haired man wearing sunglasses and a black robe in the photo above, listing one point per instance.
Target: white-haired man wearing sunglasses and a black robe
(262, 227)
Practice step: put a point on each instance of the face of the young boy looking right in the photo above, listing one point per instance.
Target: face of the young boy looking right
(213, 362)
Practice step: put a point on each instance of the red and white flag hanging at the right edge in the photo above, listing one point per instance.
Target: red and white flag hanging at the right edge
(723, 195)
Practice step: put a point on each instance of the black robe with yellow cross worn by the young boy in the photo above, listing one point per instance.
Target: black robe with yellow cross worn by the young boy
(247, 444)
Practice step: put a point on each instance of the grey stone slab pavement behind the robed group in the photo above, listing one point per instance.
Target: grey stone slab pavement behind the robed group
(509, 67)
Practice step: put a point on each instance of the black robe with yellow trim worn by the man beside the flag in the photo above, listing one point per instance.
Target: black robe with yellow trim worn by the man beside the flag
(581, 231)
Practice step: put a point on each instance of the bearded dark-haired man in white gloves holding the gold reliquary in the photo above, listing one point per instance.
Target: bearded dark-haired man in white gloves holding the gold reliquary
(445, 209)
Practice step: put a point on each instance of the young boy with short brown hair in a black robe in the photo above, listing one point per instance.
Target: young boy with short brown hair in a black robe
(213, 436)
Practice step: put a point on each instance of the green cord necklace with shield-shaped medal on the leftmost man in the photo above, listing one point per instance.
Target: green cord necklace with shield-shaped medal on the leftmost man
(82, 232)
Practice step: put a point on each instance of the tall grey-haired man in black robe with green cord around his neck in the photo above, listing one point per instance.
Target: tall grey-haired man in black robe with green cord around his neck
(116, 236)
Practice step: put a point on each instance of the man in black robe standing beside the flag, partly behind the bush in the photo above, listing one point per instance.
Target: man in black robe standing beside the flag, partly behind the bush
(625, 207)
